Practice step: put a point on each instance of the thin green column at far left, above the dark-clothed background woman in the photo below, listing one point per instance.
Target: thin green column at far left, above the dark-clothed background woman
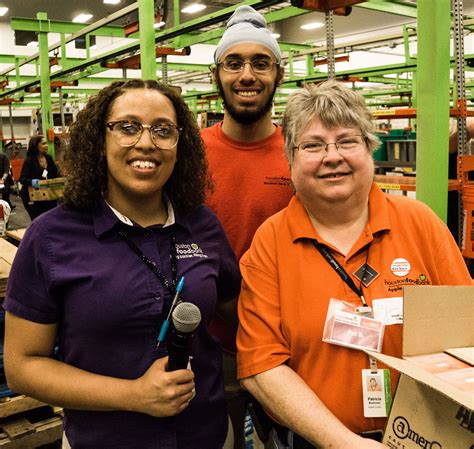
(46, 111)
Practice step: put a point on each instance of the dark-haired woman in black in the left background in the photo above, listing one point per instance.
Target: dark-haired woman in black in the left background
(38, 165)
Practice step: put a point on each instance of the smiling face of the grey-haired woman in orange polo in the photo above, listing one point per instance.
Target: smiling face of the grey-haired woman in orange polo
(332, 179)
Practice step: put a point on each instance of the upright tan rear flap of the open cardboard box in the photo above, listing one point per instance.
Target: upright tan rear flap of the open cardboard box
(432, 321)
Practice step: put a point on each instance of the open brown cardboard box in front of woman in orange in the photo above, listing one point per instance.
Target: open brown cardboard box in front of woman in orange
(428, 412)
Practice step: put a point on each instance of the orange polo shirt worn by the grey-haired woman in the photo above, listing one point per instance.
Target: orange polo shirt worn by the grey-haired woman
(287, 286)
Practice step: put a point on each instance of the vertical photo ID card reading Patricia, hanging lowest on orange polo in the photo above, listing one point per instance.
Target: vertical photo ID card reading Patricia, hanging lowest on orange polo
(376, 393)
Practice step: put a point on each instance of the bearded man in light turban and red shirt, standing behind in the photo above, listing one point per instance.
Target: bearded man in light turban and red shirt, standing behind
(246, 160)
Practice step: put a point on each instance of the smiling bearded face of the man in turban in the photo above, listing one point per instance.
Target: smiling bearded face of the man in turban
(247, 95)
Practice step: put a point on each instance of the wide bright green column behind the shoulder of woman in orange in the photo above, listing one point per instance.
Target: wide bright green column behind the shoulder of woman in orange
(433, 104)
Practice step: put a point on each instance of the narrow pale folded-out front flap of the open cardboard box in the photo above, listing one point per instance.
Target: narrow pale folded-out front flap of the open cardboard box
(404, 366)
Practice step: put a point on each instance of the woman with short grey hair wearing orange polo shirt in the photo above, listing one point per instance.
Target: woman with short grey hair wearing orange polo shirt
(342, 245)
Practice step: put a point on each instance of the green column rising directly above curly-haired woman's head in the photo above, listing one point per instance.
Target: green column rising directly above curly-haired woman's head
(146, 18)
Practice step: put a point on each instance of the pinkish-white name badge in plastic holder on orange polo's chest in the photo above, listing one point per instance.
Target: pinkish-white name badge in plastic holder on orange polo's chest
(345, 327)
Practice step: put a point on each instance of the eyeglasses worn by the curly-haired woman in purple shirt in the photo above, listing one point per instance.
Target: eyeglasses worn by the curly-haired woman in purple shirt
(127, 133)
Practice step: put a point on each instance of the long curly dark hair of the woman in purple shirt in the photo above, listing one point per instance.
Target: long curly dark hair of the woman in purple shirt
(86, 162)
